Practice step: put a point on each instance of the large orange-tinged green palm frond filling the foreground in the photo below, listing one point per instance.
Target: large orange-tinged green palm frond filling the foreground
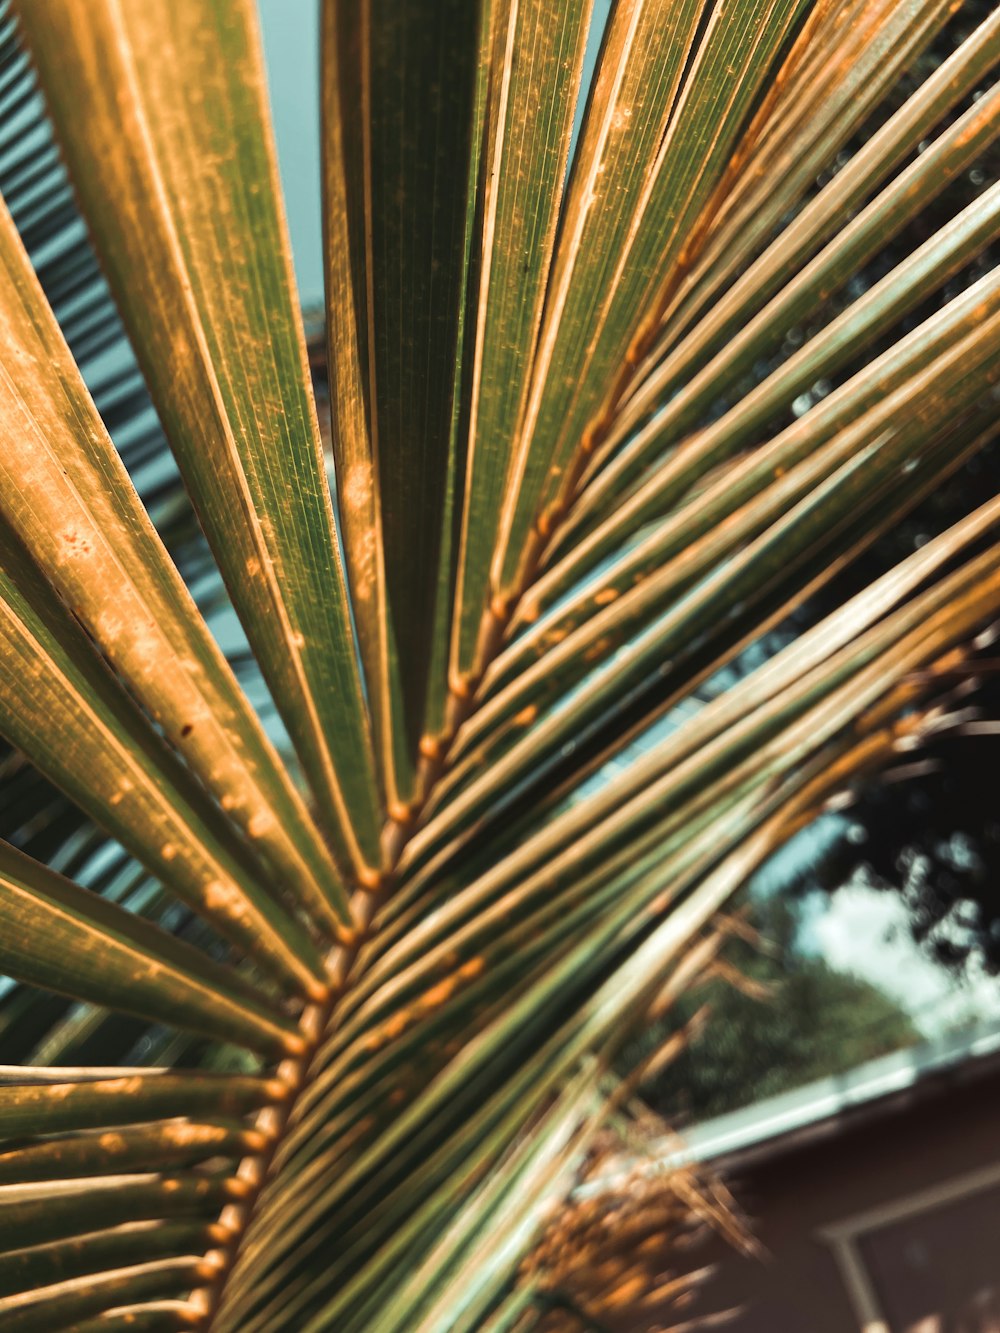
(590, 493)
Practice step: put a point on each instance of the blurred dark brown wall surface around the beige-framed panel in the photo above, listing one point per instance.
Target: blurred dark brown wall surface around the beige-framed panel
(790, 1199)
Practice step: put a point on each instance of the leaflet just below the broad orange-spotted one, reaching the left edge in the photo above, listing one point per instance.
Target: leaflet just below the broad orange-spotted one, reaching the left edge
(63, 708)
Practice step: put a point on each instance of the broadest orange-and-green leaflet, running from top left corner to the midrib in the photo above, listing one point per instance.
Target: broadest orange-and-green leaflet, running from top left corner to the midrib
(161, 110)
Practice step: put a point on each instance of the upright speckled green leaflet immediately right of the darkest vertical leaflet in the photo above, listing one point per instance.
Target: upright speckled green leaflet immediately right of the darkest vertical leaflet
(537, 63)
